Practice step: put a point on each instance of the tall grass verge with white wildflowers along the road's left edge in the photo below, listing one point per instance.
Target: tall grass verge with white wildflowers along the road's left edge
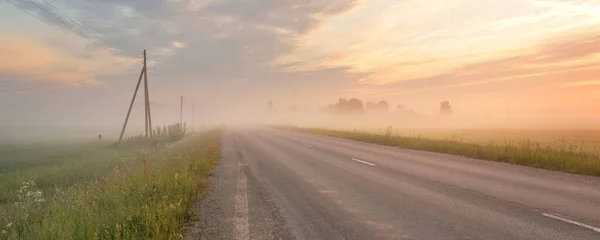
(145, 198)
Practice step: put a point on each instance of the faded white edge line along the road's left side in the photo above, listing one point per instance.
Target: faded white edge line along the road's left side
(241, 229)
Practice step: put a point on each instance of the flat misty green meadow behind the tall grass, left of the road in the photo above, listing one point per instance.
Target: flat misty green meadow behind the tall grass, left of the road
(58, 165)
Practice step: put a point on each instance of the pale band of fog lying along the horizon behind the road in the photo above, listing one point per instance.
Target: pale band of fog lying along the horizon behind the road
(328, 115)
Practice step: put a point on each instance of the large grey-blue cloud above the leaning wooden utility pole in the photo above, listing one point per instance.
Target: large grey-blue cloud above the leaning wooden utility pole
(192, 42)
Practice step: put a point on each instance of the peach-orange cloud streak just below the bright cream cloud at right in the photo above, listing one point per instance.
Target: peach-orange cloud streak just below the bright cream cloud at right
(566, 63)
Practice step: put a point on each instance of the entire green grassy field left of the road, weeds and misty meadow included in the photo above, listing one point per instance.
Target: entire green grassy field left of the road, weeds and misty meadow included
(95, 191)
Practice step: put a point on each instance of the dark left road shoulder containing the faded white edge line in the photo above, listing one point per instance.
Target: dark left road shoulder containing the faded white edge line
(236, 206)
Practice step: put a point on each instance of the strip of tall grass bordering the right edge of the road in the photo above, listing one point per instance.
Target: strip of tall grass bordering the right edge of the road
(559, 156)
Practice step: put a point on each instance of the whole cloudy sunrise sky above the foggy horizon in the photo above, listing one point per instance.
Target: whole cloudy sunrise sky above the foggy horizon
(526, 58)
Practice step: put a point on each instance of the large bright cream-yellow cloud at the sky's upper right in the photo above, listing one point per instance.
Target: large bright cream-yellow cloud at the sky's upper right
(383, 35)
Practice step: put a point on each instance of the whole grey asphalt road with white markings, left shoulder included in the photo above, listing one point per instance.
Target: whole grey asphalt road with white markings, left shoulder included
(284, 185)
